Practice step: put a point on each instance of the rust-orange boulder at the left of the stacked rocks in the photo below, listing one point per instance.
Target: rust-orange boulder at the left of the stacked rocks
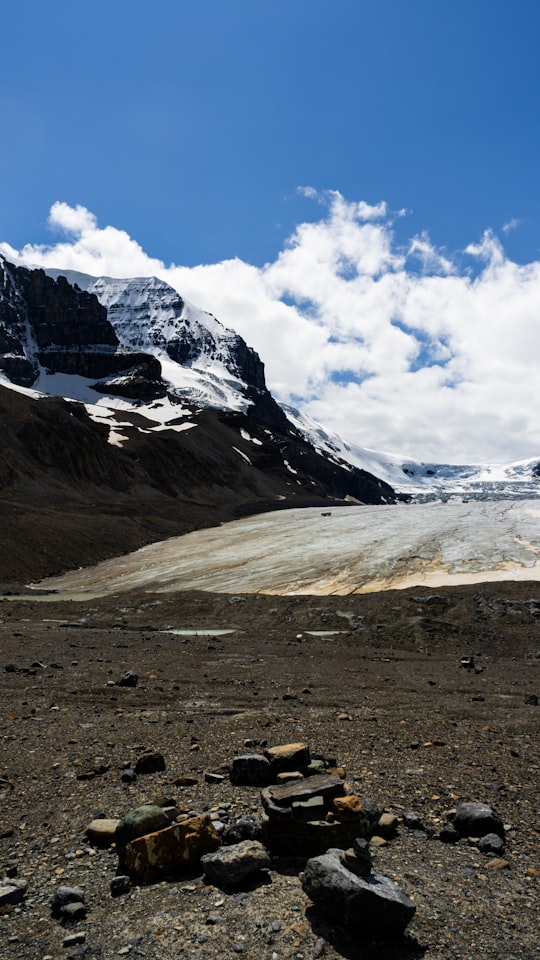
(170, 850)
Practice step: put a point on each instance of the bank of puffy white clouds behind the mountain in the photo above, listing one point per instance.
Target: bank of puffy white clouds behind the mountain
(395, 347)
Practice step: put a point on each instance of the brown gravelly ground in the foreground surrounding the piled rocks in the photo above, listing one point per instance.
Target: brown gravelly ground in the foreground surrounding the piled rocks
(384, 692)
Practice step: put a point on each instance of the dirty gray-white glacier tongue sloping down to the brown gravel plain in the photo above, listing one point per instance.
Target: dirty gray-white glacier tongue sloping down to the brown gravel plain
(351, 550)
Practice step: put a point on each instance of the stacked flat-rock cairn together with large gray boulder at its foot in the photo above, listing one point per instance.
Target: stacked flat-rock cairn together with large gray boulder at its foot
(311, 812)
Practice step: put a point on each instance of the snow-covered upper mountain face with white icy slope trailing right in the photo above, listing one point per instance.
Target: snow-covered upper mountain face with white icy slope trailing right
(140, 344)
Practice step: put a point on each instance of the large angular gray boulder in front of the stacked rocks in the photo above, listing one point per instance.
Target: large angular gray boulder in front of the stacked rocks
(373, 906)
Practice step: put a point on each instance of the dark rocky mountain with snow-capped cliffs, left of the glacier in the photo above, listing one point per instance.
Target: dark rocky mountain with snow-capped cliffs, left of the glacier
(150, 400)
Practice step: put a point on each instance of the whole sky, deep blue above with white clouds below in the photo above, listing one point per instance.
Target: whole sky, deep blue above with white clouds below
(192, 126)
